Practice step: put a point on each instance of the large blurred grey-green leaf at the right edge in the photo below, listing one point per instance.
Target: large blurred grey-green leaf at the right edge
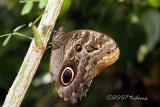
(151, 23)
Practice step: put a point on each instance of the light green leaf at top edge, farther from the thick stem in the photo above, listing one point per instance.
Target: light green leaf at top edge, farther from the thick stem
(27, 7)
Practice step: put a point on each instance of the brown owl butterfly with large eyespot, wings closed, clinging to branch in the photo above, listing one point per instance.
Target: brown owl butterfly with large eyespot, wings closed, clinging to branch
(76, 58)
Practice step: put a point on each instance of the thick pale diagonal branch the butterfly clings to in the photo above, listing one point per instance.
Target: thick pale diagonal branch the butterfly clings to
(32, 59)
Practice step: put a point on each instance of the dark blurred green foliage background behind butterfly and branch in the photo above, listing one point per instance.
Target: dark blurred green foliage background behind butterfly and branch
(133, 24)
